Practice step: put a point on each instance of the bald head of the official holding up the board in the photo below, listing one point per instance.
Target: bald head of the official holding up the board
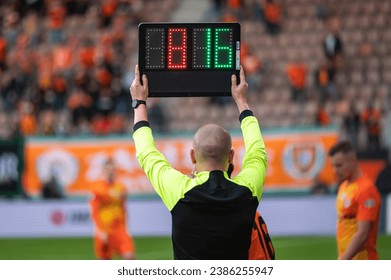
(212, 143)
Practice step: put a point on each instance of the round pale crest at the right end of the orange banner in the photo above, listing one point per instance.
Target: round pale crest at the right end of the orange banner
(303, 160)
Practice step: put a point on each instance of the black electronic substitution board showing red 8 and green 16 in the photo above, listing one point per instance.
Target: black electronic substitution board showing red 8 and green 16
(189, 59)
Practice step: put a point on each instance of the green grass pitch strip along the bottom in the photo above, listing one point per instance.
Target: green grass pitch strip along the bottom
(159, 248)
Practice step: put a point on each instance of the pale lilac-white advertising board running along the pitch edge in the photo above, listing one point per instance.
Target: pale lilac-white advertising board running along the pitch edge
(149, 217)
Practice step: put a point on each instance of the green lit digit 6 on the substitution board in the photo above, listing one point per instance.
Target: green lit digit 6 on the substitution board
(223, 48)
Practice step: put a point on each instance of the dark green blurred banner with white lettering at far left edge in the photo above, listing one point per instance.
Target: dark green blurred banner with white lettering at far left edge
(11, 166)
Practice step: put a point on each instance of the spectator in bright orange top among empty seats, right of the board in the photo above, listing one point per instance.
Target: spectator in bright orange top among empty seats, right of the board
(297, 74)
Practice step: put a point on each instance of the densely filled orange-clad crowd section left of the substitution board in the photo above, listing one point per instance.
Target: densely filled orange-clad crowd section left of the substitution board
(64, 65)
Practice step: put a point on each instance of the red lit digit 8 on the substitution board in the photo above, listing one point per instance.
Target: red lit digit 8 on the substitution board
(177, 48)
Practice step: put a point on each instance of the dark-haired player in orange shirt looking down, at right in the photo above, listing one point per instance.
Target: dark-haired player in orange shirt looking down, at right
(358, 206)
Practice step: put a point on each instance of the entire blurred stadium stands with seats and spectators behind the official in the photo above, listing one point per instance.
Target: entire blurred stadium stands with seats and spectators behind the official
(64, 66)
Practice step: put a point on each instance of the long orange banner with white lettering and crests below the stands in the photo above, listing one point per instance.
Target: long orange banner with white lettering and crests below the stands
(294, 159)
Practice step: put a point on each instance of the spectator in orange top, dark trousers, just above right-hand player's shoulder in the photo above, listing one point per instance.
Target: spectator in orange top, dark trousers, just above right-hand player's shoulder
(371, 118)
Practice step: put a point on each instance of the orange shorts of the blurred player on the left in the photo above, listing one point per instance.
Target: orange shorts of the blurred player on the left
(119, 243)
